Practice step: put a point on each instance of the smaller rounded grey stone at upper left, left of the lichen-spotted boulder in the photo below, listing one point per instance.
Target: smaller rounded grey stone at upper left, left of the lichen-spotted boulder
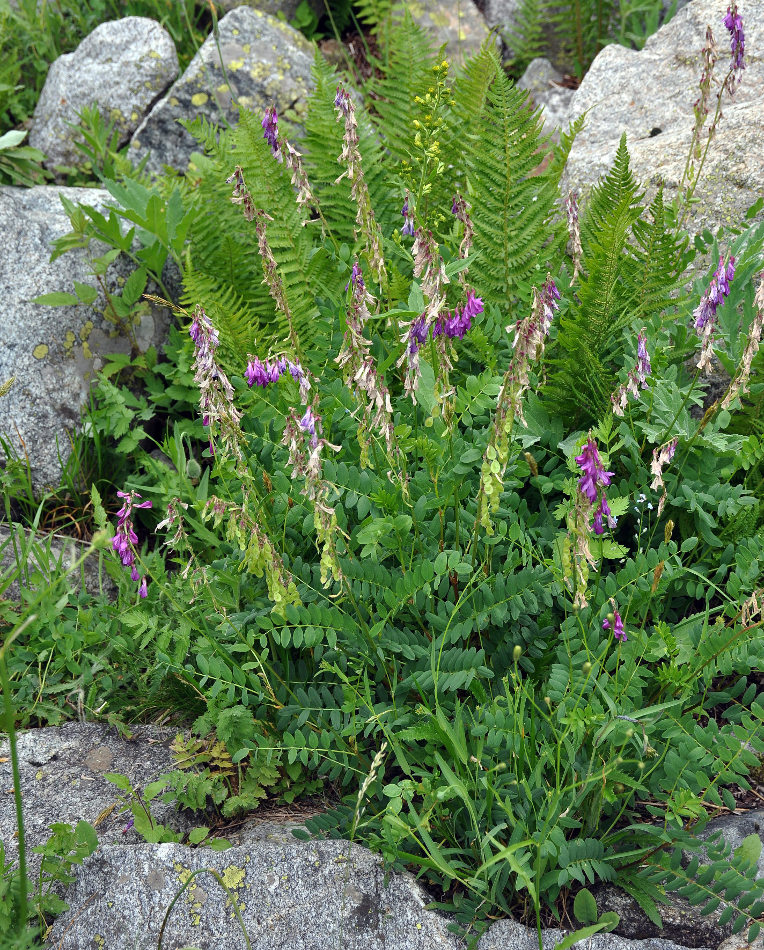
(122, 67)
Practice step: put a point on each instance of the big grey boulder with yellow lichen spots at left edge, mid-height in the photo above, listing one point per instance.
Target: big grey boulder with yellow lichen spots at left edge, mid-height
(53, 351)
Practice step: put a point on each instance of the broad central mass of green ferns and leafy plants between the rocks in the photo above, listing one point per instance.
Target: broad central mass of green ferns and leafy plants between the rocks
(333, 612)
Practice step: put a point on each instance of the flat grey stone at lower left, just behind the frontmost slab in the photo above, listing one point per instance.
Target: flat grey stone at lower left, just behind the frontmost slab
(62, 780)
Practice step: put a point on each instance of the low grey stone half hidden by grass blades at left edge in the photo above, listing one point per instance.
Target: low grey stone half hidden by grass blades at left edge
(47, 556)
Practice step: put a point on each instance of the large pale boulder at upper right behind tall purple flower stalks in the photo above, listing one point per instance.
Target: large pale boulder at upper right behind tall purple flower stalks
(649, 95)
